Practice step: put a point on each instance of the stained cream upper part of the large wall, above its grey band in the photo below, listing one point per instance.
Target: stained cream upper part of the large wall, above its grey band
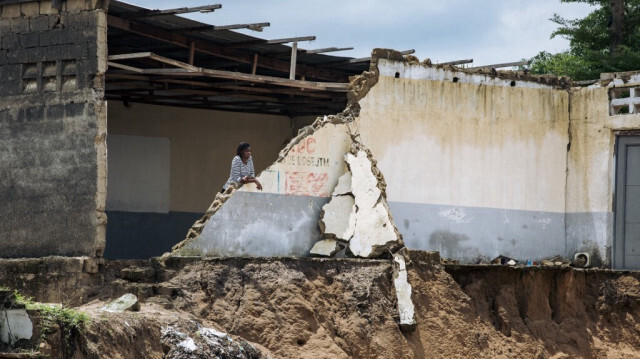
(477, 142)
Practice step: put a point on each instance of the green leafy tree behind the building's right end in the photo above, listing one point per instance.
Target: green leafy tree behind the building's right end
(606, 40)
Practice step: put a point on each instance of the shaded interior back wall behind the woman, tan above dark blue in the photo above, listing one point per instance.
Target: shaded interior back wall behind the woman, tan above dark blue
(190, 151)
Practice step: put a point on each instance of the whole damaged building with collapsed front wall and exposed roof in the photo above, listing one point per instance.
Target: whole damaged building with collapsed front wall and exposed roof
(117, 124)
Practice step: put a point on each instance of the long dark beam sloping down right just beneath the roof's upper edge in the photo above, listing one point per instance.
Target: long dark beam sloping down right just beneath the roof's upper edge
(222, 51)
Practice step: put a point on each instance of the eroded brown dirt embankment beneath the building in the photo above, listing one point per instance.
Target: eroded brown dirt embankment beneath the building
(345, 308)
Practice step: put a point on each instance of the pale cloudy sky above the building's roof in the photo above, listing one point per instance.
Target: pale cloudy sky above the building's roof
(489, 31)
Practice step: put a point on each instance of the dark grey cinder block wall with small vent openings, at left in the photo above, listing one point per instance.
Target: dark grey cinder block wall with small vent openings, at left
(52, 129)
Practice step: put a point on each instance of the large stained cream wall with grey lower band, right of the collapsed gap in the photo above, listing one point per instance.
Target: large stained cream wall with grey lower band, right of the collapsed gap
(475, 165)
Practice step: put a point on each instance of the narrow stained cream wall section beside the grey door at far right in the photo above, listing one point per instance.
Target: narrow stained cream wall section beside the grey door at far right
(591, 170)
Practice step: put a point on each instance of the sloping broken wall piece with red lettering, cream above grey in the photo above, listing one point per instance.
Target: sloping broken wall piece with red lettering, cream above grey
(282, 220)
